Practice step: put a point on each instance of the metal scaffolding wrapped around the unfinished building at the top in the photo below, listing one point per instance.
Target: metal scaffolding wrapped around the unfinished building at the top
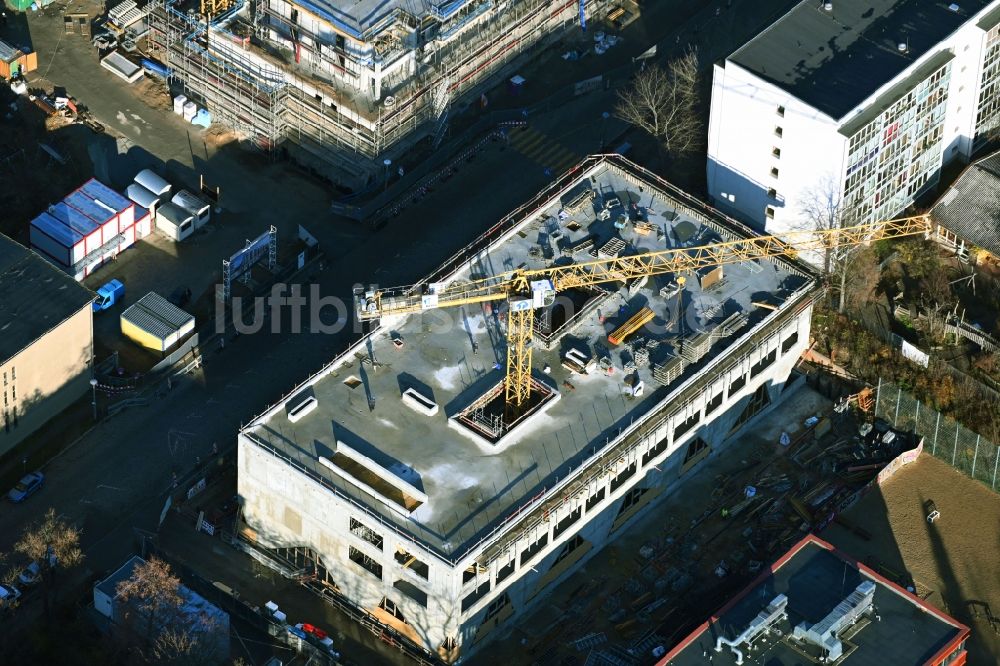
(269, 104)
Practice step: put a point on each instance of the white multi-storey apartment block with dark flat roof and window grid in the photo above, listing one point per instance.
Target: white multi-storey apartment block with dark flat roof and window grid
(858, 103)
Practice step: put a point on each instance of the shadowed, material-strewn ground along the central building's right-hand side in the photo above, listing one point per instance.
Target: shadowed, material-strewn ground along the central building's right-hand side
(607, 595)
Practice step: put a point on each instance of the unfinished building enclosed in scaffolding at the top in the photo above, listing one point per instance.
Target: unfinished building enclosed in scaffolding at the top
(344, 86)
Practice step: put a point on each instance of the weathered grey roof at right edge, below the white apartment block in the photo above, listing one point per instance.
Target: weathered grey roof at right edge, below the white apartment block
(971, 207)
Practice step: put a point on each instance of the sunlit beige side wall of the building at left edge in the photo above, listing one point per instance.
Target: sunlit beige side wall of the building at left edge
(45, 378)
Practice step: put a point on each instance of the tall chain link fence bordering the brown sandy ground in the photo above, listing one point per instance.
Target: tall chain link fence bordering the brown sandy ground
(944, 437)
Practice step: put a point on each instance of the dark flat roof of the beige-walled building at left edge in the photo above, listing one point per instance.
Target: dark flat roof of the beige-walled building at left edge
(35, 297)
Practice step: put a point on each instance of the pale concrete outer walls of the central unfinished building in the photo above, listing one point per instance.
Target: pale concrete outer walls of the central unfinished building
(288, 509)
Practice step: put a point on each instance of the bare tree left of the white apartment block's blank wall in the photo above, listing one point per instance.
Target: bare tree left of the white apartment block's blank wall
(664, 102)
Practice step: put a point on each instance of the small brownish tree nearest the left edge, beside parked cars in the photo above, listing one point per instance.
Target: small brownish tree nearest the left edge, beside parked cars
(55, 545)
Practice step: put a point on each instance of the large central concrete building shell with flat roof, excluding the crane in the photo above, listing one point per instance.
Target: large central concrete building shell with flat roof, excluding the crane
(396, 476)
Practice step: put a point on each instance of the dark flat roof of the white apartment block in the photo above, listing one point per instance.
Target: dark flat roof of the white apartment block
(835, 60)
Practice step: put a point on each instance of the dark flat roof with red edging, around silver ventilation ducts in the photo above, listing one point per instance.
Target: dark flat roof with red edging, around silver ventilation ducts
(815, 579)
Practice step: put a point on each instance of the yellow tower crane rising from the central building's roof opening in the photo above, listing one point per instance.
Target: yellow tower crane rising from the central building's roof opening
(527, 289)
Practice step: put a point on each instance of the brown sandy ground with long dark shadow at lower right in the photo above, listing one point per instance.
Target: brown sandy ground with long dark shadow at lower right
(952, 562)
